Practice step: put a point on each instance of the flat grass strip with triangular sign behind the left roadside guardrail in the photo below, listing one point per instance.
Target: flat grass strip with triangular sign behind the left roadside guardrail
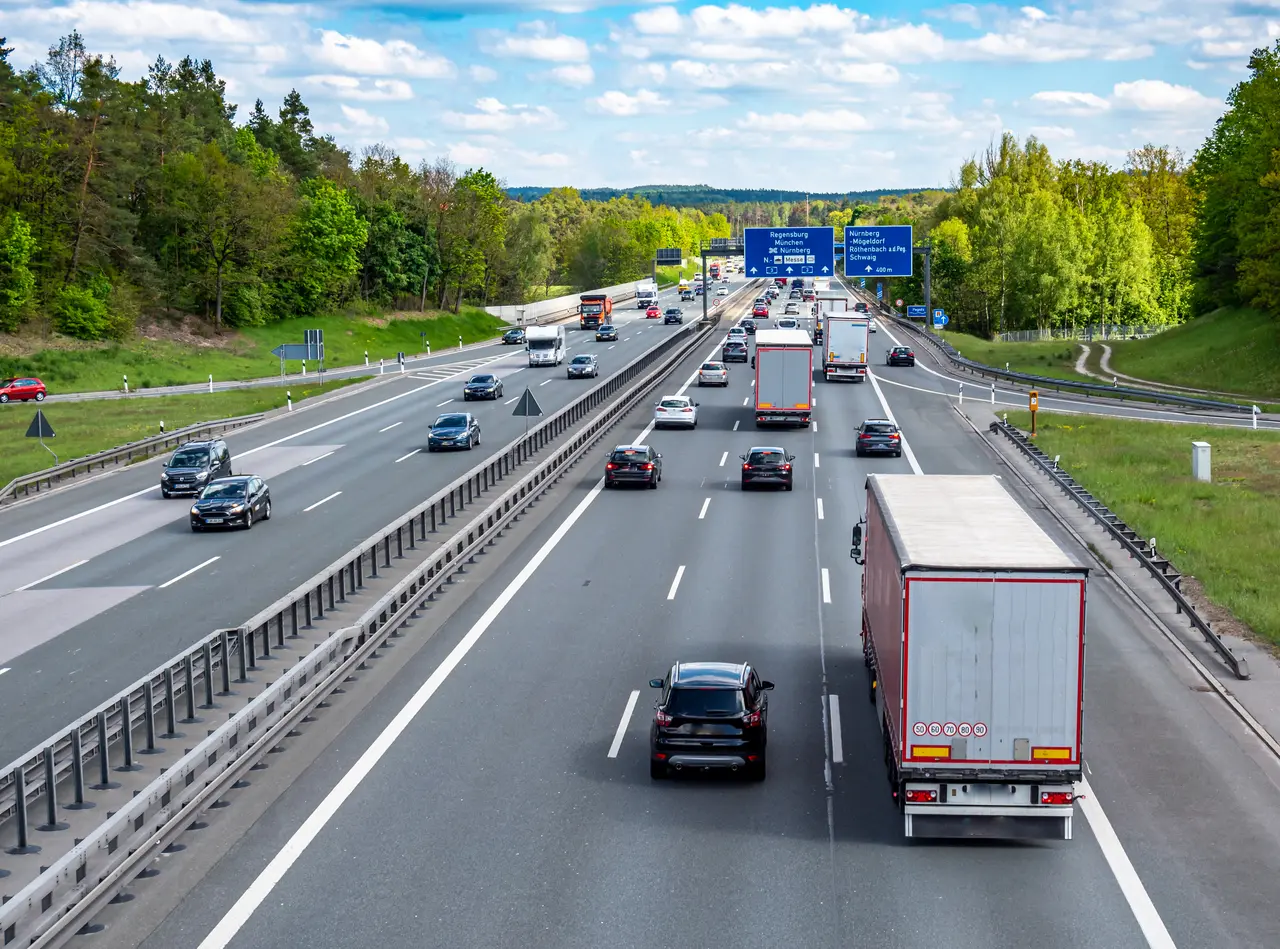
(85, 428)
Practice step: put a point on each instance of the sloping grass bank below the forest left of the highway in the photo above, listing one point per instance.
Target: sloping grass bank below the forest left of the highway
(246, 354)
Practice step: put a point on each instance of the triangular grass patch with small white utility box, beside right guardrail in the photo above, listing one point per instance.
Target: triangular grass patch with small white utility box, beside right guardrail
(1223, 533)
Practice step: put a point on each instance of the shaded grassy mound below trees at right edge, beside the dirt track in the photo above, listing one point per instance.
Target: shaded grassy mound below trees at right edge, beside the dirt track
(1228, 350)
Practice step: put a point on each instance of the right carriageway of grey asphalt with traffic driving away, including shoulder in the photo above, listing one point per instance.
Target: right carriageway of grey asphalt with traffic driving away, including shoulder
(515, 807)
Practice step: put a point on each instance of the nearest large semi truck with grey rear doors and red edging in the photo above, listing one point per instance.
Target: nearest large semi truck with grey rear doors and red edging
(973, 635)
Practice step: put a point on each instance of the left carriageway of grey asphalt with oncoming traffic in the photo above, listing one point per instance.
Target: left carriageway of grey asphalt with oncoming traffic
(102, 583)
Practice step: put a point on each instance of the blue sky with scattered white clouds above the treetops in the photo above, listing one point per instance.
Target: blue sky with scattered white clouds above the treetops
(751, 94)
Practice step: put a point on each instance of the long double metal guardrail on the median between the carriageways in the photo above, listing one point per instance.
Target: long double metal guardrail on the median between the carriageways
(130, 720)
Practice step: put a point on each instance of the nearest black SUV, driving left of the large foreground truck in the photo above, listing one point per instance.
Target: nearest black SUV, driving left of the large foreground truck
(712, 715)
